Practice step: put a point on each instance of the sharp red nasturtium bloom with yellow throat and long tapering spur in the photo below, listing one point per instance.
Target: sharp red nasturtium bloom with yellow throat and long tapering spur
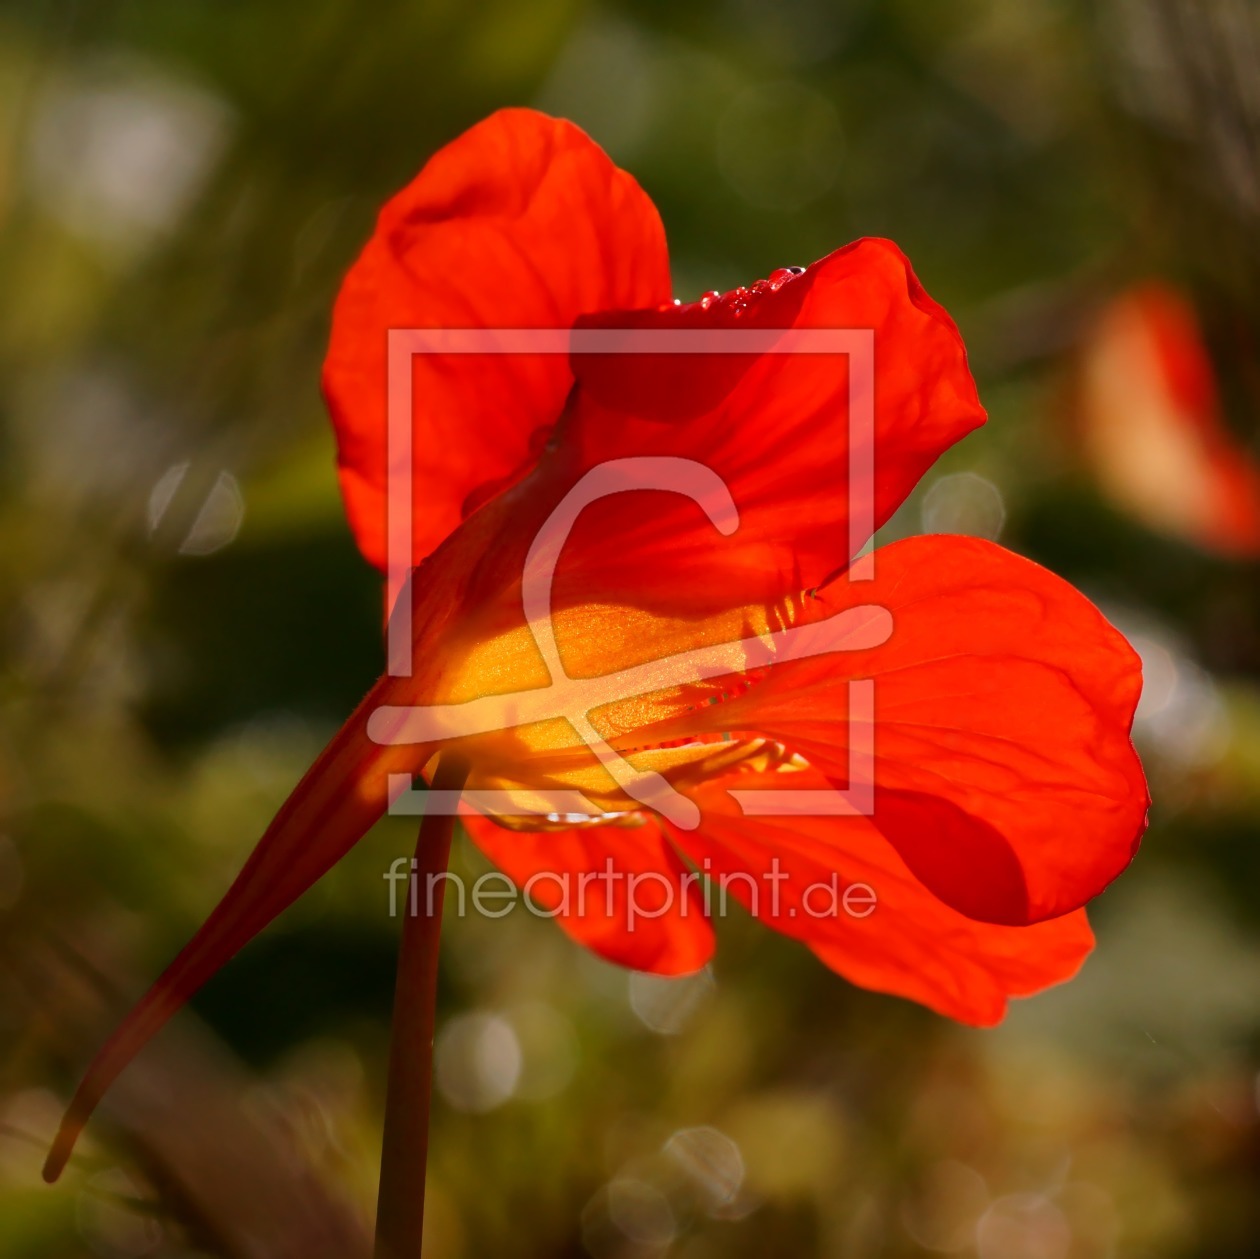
(1007, 792)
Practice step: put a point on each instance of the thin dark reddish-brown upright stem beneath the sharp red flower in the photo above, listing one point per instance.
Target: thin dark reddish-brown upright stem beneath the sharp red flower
(405, 1146)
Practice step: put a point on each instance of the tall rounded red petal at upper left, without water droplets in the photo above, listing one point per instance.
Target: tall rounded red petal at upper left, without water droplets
(522, 222)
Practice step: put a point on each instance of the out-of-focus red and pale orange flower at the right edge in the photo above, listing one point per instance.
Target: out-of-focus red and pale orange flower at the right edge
(1152, 424)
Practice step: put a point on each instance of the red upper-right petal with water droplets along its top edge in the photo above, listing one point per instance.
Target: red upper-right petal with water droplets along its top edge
(810, 471)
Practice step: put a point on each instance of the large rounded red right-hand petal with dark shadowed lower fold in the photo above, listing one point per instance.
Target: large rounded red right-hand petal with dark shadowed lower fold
(1005, 774)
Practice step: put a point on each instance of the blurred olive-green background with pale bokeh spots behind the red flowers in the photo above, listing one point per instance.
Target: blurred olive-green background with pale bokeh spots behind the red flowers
(185, 621)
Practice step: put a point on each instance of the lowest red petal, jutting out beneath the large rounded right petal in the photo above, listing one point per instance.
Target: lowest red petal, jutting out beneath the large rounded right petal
(839, 888)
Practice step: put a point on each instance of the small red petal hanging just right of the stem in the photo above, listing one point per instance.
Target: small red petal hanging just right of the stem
(622, 892)
